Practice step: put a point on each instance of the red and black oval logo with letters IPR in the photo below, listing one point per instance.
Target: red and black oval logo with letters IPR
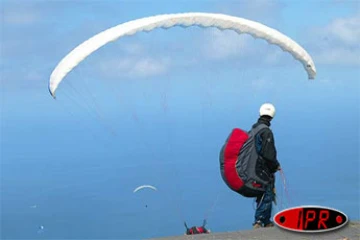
(310, 219)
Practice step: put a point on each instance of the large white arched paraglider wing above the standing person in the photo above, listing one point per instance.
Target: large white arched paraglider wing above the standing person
(220, 21)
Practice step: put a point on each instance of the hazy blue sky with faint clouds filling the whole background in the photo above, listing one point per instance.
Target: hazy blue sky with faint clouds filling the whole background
(155, 108)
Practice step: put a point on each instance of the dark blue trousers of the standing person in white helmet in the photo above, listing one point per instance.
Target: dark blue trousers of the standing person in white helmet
(264, 206)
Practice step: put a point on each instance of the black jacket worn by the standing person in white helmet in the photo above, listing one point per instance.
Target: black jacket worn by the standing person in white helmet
(267, 142)
